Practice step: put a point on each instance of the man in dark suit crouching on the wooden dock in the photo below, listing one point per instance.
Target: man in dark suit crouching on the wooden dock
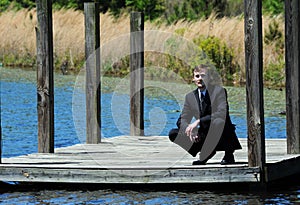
(212, 129)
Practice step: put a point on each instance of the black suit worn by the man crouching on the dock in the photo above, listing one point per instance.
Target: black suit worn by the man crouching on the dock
(214, 120)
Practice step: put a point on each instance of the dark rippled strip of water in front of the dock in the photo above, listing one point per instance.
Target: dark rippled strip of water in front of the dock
(109, 196)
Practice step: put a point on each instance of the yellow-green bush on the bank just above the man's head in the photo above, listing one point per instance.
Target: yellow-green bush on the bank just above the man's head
(220, 55)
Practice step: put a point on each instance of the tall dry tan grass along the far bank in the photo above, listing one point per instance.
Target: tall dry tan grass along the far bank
(18, 41)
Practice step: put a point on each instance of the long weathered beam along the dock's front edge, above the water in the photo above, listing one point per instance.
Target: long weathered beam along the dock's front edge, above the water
(105, 176)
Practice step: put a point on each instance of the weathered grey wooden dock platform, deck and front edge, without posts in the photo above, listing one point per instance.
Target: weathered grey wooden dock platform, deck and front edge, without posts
(144, 160)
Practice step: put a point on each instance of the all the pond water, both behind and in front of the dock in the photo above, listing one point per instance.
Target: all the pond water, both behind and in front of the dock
(19, 136)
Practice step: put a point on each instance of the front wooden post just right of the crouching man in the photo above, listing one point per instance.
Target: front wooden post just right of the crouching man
(254, 83)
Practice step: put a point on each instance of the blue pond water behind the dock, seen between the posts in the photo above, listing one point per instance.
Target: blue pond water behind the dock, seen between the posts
(19, 114)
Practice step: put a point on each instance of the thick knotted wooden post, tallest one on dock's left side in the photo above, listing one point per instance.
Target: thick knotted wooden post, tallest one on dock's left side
(45, 91)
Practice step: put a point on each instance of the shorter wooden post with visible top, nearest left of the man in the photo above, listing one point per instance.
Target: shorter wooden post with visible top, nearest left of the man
(137, 74)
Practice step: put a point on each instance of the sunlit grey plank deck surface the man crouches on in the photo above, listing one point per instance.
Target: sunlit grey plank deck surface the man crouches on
(137, 152)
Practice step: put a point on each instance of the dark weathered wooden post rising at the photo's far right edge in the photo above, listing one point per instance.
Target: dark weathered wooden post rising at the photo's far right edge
(292, 56)
